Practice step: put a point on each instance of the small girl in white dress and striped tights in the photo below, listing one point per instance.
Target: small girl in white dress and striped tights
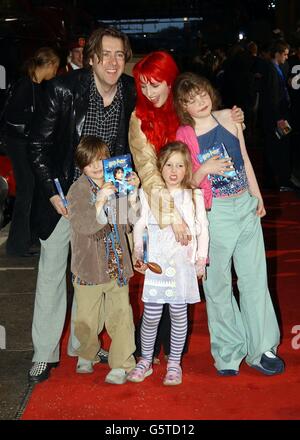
(177, 285)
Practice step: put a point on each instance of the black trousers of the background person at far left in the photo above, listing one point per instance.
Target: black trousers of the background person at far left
(20, 237)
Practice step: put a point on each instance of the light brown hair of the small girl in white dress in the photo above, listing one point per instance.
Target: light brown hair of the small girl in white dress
(177, 147)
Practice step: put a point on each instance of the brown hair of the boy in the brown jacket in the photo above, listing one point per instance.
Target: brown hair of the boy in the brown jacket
(90, 148)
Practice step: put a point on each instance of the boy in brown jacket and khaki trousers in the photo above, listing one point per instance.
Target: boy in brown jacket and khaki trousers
(101, 263)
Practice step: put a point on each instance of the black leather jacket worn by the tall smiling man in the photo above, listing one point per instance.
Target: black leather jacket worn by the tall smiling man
(56, 130)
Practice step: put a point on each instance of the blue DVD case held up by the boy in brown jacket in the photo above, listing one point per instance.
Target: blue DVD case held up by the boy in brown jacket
(117, 170)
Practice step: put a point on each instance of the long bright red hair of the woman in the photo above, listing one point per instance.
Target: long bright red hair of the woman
(158, 124)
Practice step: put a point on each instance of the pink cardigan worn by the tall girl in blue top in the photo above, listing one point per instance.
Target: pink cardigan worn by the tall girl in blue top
(186, 134)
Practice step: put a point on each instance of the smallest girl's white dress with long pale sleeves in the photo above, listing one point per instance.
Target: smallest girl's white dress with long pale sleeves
(178, 283)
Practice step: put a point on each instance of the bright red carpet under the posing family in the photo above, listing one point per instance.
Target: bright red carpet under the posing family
(203, 395)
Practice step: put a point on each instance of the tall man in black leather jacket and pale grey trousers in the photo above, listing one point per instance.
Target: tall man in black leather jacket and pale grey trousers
(97, 100)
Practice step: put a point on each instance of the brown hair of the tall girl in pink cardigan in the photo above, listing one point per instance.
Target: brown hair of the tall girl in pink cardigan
(186, 87)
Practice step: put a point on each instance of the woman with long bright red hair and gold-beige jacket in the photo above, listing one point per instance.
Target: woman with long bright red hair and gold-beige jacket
(153, 124)
